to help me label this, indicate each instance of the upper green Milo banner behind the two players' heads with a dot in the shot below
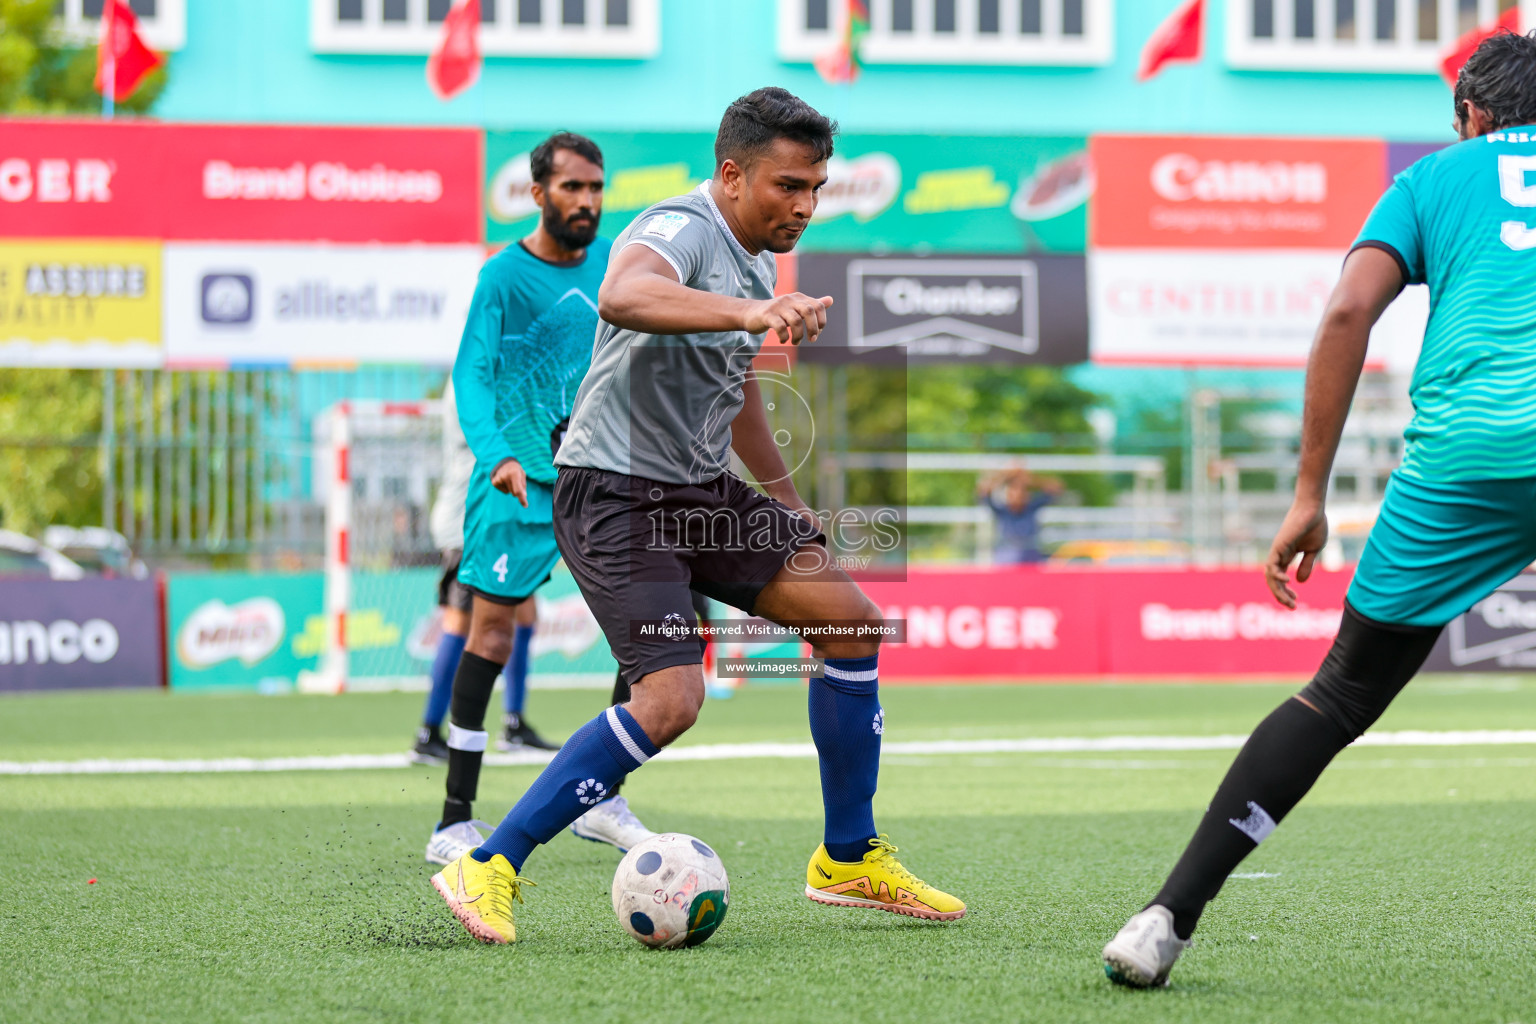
(884, 193)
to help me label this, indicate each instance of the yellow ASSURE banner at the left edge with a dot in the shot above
(79, 303)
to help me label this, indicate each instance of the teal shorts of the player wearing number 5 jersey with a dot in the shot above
(1442, 547)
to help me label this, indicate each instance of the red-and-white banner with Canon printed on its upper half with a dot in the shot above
(1213, 251)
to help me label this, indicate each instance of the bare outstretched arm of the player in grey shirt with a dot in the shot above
(641, 292)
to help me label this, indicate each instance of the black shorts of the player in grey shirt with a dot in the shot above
(640, 550)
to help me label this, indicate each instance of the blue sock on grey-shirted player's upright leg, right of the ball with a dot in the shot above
(847, 722)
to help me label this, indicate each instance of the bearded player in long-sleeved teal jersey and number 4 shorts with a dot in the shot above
(526, 349)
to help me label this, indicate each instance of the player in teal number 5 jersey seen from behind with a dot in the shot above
(1460, 514)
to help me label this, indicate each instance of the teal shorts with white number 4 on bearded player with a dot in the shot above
(509, 550)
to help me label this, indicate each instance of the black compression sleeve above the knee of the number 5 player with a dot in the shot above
(1366, 669)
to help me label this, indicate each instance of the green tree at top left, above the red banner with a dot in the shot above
(44, 73)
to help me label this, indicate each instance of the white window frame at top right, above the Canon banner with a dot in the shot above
(1365, 55)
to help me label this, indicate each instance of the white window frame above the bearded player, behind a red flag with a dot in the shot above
(505, 38)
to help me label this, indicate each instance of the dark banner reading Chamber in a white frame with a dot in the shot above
(953, 309)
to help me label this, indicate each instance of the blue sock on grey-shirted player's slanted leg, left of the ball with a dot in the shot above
(591, 764)
